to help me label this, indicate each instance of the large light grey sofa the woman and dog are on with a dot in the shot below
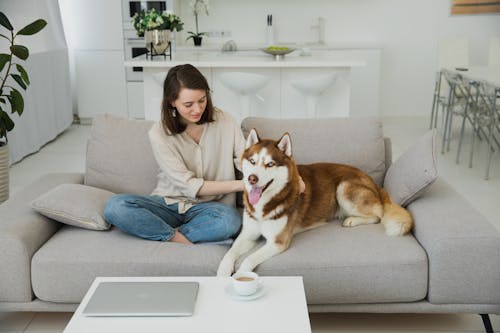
(450, 262)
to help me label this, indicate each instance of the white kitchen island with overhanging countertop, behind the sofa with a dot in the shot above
(278, 98)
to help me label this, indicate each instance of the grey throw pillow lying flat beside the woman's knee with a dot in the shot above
(75, 204)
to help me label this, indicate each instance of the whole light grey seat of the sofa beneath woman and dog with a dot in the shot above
(339, 265)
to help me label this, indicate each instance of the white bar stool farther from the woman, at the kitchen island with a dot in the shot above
(312, 87)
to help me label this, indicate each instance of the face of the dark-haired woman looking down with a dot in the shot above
(190, 105)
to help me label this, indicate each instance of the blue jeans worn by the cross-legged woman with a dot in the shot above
(151, 218)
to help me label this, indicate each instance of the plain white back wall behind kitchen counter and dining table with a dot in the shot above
(407, 31)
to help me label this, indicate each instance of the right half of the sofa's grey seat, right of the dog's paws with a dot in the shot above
(354, 265)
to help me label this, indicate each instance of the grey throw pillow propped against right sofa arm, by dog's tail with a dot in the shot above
(413, 172)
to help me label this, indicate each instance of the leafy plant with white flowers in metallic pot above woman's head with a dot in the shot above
(156, 28)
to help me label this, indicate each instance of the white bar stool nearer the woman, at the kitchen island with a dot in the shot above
(246, 85)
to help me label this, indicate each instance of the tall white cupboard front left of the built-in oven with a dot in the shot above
(94, 34)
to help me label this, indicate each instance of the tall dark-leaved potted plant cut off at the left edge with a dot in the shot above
(12, 76)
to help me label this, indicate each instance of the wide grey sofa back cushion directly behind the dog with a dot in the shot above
(357, 141)
